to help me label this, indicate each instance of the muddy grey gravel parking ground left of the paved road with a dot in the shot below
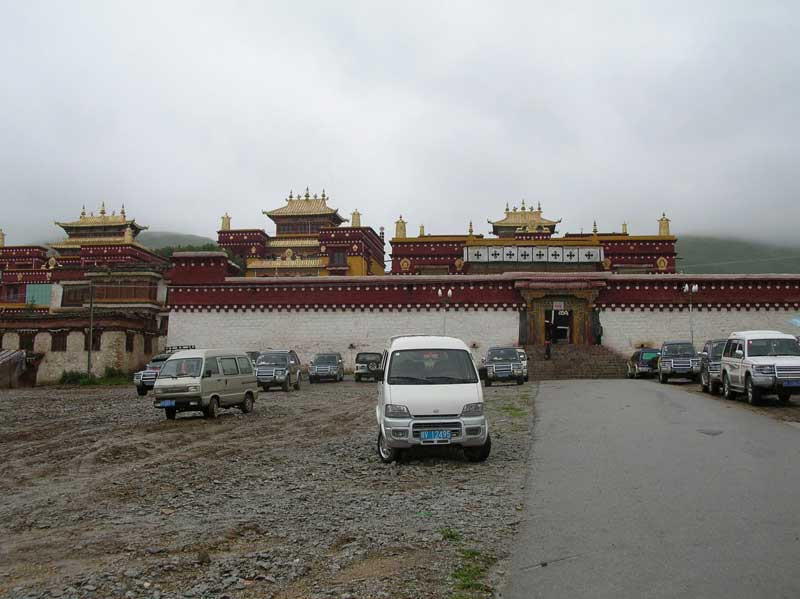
(103, 497)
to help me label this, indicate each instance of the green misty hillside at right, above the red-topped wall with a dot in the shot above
(700, 254)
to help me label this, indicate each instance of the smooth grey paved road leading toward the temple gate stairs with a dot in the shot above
(642, 490)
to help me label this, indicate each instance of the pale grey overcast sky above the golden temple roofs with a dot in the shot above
(440, 111)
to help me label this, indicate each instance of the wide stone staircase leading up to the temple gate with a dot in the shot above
(575, 362)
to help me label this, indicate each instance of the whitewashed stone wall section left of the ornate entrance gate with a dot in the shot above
(312, 332)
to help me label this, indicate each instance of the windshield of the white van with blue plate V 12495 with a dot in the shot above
(431, 367)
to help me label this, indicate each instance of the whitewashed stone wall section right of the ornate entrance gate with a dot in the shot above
(624, 331)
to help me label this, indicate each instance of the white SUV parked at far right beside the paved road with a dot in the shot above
(759, 363)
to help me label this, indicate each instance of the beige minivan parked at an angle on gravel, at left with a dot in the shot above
(205, 380)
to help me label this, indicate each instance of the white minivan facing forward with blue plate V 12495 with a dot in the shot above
(429, 393)
